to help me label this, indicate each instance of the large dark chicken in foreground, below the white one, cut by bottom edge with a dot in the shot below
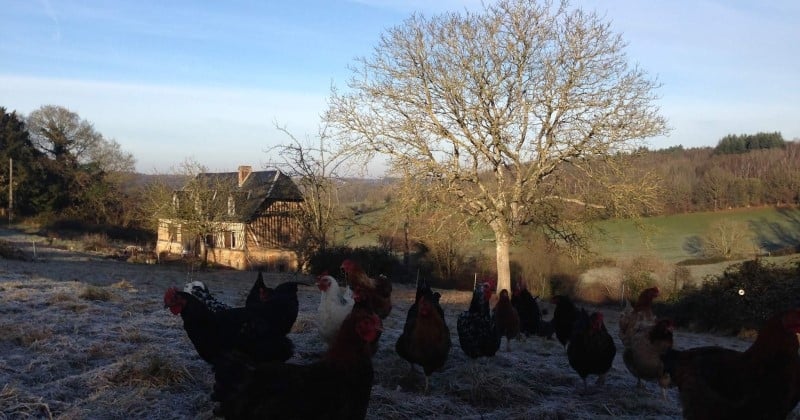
(336, 387)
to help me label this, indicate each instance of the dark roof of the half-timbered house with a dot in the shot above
(258, 187)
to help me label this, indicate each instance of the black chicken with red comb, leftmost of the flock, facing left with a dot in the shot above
(215, 334)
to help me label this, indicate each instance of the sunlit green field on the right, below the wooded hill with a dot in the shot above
(667, 236)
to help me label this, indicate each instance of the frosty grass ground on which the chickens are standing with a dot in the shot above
(86, 337)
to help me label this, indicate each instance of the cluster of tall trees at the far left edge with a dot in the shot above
(55, 165)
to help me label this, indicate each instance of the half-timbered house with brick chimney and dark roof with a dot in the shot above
(258, 227)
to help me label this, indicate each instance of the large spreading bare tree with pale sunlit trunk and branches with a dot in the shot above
(489, 109)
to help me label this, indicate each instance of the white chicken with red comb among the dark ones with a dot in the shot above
(334, 305)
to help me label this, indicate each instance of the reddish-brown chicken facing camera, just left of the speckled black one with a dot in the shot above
(425, 339)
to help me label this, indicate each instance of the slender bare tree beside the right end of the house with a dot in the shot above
(315, 171)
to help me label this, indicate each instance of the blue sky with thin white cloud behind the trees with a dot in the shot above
(208, 80)
